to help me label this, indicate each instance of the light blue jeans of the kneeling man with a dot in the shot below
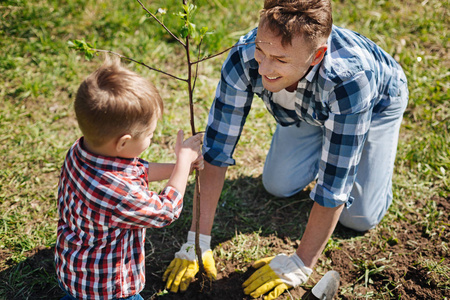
(293, 162)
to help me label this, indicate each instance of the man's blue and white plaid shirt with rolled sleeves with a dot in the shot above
(355, 80)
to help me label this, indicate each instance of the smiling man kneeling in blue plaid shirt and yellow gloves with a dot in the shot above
(338, 100)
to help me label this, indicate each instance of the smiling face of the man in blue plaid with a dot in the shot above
(282, 67)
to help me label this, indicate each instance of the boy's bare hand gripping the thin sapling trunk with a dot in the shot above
(189, 149)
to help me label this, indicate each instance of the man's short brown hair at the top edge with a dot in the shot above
(311, 19)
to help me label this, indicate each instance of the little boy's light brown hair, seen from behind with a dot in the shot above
(114, 101)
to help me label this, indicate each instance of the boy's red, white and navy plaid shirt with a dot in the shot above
(104, 206)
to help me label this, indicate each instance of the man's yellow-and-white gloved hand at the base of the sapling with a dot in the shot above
(184, 266)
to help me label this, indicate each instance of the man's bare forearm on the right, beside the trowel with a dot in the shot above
(321, 224)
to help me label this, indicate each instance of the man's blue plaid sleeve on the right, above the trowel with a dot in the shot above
(345, 132)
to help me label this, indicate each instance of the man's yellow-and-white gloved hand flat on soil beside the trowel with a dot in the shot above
(277, 273)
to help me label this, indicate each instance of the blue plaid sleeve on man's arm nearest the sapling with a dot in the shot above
(228, 112)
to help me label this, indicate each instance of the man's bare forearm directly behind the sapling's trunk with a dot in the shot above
(211, 184)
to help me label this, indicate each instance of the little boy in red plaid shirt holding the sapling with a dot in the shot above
(103, 199)
